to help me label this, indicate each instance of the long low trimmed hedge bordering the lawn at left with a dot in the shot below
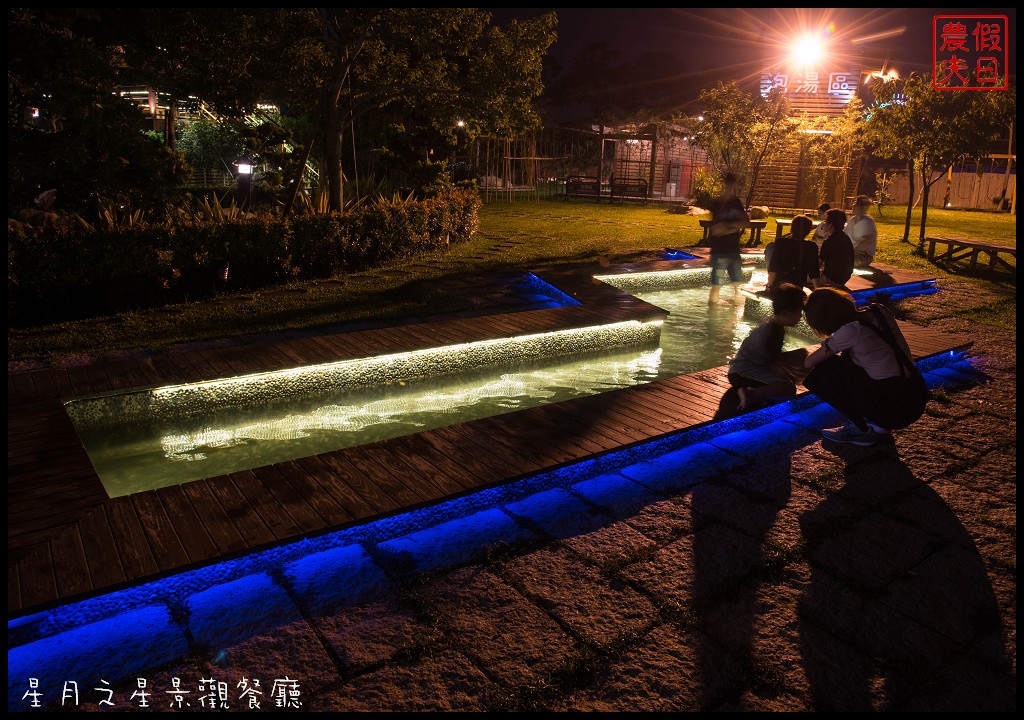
(77, 273)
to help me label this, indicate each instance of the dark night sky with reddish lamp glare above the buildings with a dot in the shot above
(739, 40)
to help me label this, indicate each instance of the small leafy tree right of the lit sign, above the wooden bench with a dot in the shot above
(931, 130)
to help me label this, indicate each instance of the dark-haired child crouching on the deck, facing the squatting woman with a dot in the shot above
(757, 371)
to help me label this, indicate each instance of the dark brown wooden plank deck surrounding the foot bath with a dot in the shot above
(68, 540)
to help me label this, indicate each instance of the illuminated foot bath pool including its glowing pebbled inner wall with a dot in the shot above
(170, 436)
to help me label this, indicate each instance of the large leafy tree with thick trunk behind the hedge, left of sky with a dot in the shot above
(418, 72)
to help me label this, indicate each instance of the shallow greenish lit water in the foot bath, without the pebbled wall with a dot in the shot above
(158, 449)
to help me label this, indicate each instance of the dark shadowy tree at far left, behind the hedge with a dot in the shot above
(66, 128)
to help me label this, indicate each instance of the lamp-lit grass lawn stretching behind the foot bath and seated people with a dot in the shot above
(514, 238)
